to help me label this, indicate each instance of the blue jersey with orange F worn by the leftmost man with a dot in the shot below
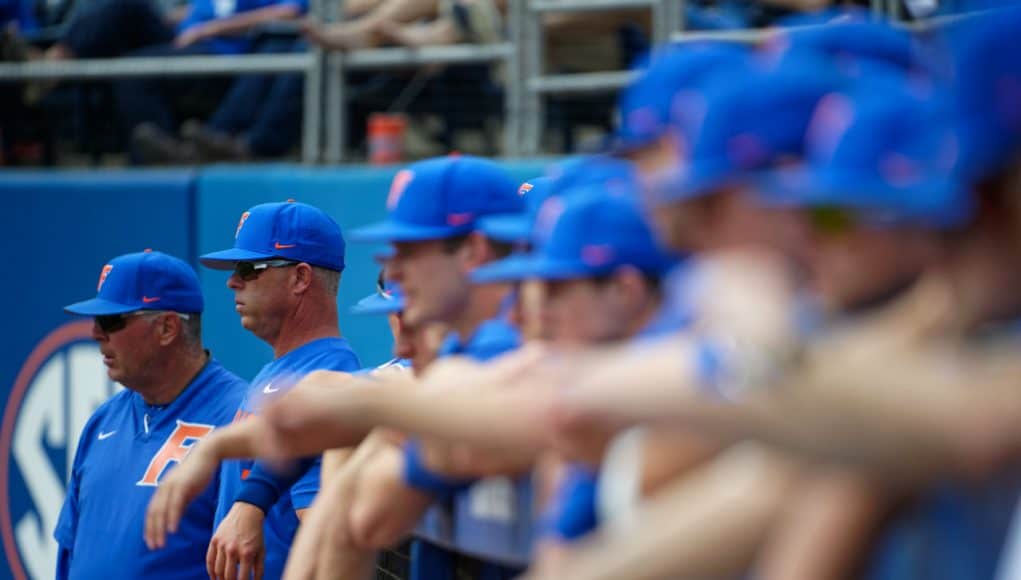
(125, 450)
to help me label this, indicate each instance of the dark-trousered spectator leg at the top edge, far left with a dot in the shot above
(113, 28)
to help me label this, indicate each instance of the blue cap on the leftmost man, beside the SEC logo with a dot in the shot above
(143, 281)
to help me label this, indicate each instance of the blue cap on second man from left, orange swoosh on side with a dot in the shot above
(287, 230)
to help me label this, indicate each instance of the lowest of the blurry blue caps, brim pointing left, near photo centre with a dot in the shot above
(591, 233)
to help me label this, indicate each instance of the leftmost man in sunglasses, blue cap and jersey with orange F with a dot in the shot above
(148, 323)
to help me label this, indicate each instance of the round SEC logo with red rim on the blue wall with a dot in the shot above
(59, 388)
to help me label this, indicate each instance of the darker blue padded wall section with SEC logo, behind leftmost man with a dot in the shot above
(61, 229)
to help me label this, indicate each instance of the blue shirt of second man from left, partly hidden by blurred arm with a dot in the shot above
(246, 479)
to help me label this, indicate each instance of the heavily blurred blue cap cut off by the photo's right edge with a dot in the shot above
(988, 86)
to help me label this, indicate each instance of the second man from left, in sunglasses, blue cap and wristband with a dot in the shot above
(286, 265)
